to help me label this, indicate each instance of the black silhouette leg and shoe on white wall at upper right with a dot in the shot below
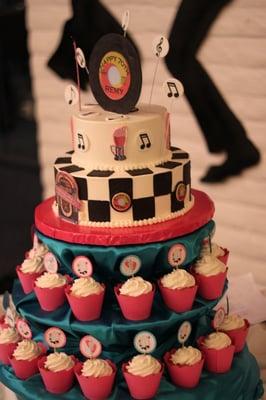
(222, 130)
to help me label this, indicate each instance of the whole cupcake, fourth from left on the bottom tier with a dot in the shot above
(96, 378)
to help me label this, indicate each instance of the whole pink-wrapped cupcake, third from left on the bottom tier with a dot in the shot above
(57, 372)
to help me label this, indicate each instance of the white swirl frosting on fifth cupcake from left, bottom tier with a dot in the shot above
(143, 365)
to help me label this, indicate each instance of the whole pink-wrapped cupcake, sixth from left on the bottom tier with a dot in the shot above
(184, 366)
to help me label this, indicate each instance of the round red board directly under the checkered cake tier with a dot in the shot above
(51, 225)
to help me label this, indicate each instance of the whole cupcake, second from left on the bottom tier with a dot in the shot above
(24, 359)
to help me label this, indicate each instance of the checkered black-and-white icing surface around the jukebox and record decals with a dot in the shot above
(151, 190)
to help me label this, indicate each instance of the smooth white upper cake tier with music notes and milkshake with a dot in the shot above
(107, 141)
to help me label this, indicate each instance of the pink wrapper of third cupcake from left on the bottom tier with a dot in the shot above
(56, 382)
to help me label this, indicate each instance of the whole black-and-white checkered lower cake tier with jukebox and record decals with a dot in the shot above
(124, 198)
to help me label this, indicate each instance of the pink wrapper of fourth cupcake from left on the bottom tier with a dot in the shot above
(95, 388)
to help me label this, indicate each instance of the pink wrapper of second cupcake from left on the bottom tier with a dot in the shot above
(24, 369)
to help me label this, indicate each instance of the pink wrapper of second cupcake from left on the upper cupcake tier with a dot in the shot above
(51, 298)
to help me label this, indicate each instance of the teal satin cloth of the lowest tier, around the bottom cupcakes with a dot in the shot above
(240, 383)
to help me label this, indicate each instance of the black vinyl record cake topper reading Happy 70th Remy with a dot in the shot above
(115, 73)
